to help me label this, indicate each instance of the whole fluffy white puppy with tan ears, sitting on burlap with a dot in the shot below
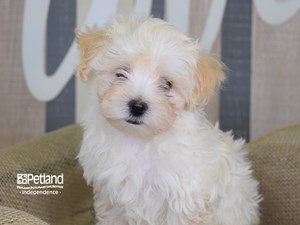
(148, 151)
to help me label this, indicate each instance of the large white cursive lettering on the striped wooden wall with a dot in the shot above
(46, 88)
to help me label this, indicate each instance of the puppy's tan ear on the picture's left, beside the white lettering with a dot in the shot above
(90, 44)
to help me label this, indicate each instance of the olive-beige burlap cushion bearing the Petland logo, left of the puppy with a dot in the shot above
(53, 154)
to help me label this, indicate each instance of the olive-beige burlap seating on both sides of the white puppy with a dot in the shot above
(275, 157)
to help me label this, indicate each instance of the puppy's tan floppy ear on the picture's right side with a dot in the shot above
(208, 77)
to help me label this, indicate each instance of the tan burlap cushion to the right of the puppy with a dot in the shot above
(276, 162)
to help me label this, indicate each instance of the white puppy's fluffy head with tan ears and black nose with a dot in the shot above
(146, 73)
